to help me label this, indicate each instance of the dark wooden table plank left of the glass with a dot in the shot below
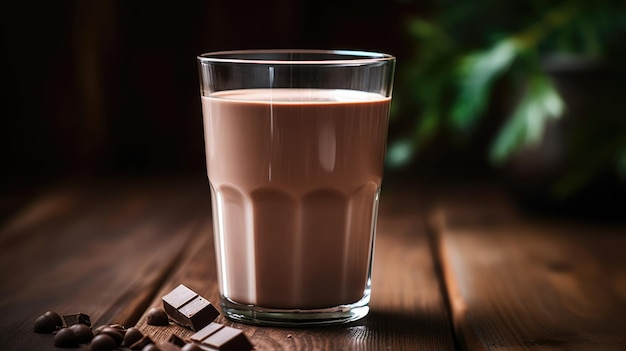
(101, 249)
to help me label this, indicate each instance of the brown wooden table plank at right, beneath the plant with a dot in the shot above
(517, 283)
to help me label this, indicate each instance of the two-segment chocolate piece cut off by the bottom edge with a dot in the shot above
(218, 337)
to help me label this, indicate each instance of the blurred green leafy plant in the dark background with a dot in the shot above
(468, 50)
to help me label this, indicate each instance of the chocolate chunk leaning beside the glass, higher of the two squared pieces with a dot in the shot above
(189, 309)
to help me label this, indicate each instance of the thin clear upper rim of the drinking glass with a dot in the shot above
(343, 57)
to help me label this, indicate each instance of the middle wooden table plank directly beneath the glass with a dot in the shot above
(407, 308)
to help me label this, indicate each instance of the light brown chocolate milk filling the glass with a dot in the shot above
(295, 176)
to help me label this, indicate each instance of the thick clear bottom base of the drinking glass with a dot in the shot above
(256, 315)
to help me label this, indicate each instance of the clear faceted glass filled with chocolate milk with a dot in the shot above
(295, 143)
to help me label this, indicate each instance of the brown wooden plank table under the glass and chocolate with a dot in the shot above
(453, 269)
